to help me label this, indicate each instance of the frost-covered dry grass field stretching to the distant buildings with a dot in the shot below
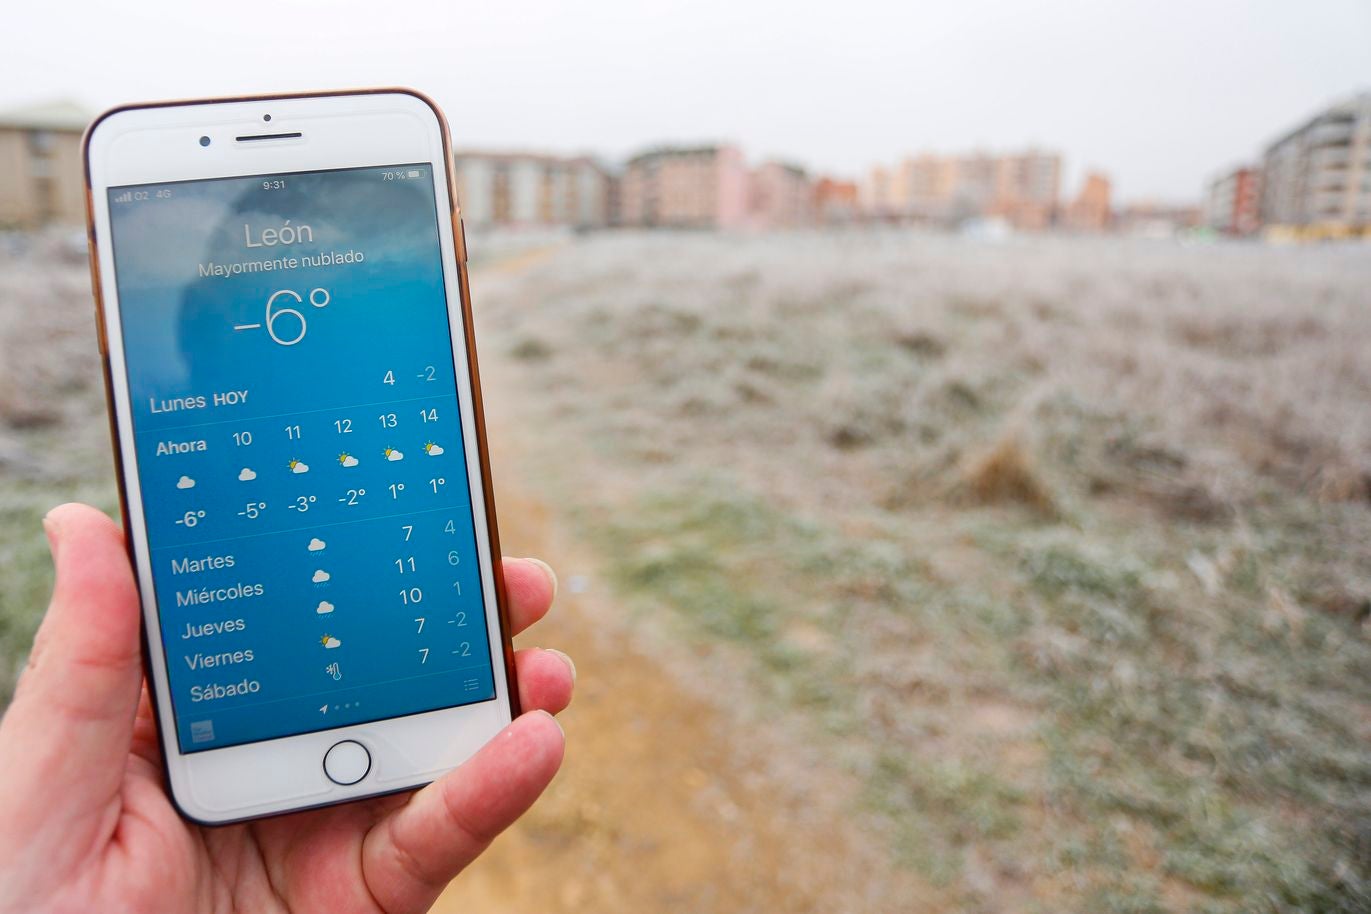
(1043, 567)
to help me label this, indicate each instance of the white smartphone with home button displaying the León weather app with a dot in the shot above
(283, 312)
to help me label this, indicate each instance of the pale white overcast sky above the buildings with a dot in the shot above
(1159, 94)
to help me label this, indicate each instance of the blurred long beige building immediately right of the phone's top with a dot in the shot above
(524, 190)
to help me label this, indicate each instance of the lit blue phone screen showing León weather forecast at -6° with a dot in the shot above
(300, 452)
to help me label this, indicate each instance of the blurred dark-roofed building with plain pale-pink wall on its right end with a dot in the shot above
(686, 187)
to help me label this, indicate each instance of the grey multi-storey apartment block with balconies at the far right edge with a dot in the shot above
(1318, 177)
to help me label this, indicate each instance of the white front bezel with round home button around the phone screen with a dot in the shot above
(160, 143)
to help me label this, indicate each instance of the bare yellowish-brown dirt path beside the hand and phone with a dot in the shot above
(666, 804)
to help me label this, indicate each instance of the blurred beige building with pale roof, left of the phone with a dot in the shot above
(40, 166)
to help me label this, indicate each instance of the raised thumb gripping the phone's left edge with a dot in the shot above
(68, 732)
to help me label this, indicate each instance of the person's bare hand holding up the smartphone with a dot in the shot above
(86, 824)
